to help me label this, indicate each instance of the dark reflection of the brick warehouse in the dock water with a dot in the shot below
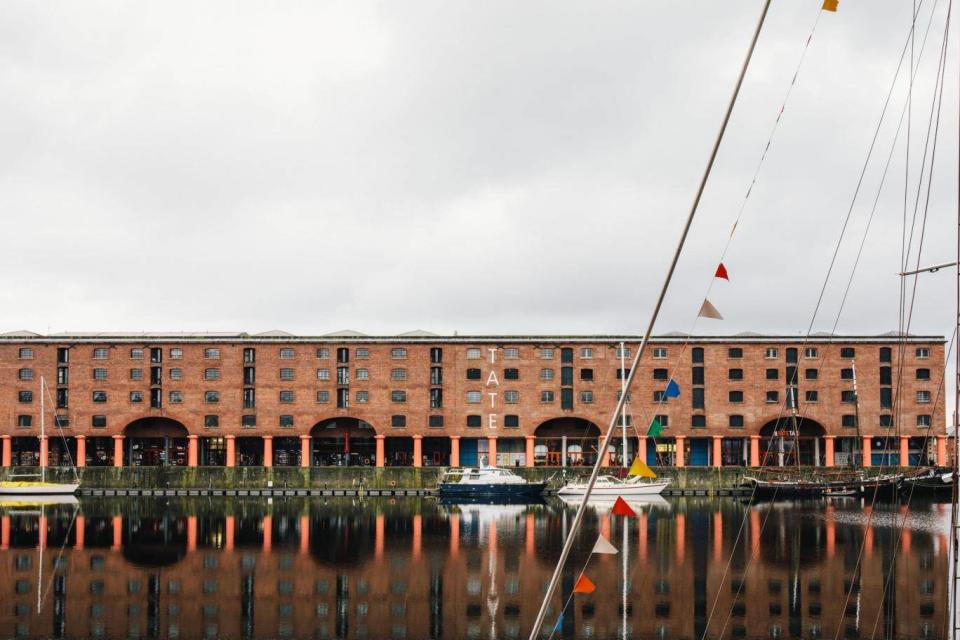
(476, 572)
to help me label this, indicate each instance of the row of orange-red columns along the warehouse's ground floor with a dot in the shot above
(305, 450)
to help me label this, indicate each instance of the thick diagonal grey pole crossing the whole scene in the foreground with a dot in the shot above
(568, 544)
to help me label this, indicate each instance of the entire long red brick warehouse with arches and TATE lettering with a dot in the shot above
(421, 399)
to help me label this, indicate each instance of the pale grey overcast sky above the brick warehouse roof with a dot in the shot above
(480, 167)
